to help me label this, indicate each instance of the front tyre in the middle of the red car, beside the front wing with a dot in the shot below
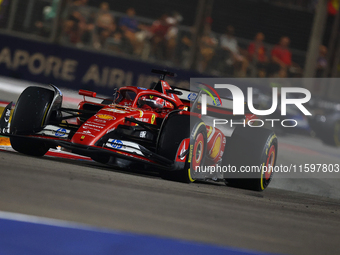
(176, 129)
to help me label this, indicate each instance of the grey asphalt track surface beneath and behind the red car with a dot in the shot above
(277, 220)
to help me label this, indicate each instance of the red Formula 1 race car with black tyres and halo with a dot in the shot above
(159, 128)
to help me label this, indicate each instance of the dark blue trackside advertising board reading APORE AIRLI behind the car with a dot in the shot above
(76, 68)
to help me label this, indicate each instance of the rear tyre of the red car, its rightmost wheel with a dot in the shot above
(250, 146)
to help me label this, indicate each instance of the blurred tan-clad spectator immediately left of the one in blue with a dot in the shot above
(105, 27)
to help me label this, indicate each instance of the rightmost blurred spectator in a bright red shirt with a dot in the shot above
(281, 58)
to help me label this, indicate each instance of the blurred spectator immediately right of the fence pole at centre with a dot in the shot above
(207, 48)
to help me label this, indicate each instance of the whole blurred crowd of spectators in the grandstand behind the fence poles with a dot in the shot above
(165, 40)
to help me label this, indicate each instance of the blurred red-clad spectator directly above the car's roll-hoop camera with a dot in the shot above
(159, 30)
